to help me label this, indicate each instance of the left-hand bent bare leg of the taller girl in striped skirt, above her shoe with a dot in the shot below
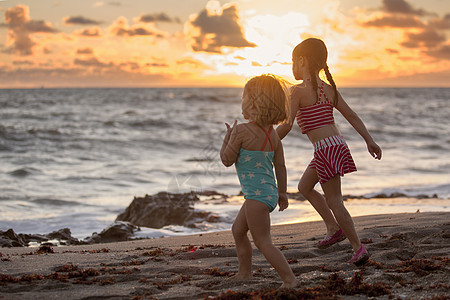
(306, 188)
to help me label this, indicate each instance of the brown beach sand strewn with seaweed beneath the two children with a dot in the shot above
(409, 260)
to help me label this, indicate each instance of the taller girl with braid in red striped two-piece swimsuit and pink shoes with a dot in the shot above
(312, 104)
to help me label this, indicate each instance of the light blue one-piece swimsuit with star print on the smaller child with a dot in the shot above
(255, 172)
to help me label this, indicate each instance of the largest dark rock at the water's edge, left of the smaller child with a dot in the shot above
(162, 209)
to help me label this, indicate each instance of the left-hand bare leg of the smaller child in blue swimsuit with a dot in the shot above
(243, 245)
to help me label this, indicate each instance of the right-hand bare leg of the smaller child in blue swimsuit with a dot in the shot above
(258, 221)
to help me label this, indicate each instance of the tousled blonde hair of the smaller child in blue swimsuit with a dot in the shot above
(267, 94)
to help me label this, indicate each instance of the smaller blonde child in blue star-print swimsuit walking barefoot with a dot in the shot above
(255, 148)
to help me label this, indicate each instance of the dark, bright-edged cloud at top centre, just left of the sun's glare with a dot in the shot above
(211, 30)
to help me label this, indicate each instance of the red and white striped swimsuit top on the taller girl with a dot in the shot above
(316, 115)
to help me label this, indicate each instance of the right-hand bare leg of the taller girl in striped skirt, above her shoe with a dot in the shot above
(333, 195)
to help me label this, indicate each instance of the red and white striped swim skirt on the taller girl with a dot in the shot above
(331, 157)
